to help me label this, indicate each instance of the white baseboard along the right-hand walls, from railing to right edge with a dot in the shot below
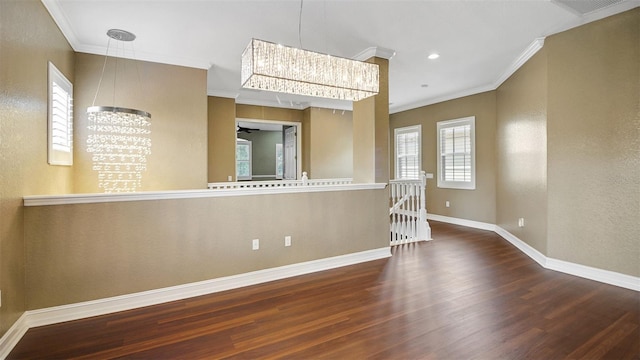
(583, 271)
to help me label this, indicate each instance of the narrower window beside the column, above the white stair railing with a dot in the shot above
(408, 149)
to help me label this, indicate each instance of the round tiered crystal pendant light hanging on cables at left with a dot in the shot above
(119, 138)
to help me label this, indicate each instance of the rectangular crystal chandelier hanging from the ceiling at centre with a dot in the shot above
(274, 67)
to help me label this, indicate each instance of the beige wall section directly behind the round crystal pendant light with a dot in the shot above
(176, 98)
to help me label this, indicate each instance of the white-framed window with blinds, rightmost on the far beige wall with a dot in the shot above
(456, 153)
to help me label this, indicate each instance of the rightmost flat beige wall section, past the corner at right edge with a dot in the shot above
(593, 144)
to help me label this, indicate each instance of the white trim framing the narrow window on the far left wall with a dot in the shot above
(56, 156)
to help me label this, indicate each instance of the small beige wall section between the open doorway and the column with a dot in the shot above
(330, 144)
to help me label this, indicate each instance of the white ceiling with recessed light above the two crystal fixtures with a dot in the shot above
(480, 42)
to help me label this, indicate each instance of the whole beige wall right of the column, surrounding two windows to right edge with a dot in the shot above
(566, 143)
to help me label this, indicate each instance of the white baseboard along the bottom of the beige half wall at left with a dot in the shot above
(57, 314)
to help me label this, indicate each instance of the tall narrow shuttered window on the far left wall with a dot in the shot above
(60, 118)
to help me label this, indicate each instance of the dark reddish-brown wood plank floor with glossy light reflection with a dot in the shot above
(466, 294)
